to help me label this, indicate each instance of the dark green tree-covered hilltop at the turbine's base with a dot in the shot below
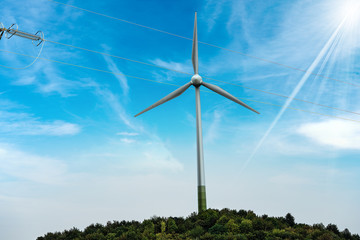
(211, 224)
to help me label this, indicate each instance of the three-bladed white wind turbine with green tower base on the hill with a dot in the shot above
(196, 81)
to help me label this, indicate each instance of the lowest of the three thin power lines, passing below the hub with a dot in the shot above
(145, 79)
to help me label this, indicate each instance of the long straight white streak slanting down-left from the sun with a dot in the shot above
(296, 90)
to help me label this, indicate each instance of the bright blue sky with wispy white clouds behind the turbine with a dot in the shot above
(71, 152)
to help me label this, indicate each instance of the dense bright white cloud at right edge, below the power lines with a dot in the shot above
(335, 133)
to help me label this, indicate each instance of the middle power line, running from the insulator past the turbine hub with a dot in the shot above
(213, 79)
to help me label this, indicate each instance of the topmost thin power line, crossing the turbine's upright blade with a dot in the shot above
(209, 44)
